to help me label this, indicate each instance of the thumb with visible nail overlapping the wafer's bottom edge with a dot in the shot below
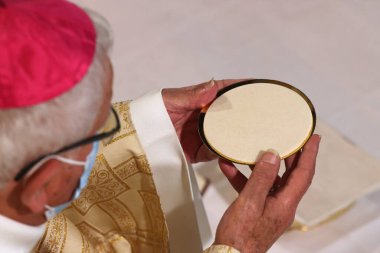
(262, 178)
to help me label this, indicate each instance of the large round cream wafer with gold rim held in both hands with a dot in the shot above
(256, 115)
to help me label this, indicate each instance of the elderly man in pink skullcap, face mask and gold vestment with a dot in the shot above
(77, 175)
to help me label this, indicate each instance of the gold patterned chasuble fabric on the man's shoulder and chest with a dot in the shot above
(119, 210)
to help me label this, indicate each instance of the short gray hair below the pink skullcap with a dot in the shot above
(27, 133)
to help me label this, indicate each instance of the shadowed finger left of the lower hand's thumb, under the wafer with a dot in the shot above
(234, 176)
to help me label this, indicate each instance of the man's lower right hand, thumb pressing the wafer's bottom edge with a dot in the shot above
(267, 203)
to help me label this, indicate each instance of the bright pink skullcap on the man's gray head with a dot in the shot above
(46, 48)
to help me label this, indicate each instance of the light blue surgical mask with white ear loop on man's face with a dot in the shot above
(52, 211)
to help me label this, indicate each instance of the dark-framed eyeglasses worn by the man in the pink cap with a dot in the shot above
(111, 126)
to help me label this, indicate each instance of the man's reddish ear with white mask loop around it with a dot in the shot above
(37, 188)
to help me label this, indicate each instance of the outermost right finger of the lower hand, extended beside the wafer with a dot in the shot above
(300, 178)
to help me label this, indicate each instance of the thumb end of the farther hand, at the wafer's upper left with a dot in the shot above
(202, 94)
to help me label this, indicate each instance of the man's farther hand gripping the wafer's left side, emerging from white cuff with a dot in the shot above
(183, 106)
